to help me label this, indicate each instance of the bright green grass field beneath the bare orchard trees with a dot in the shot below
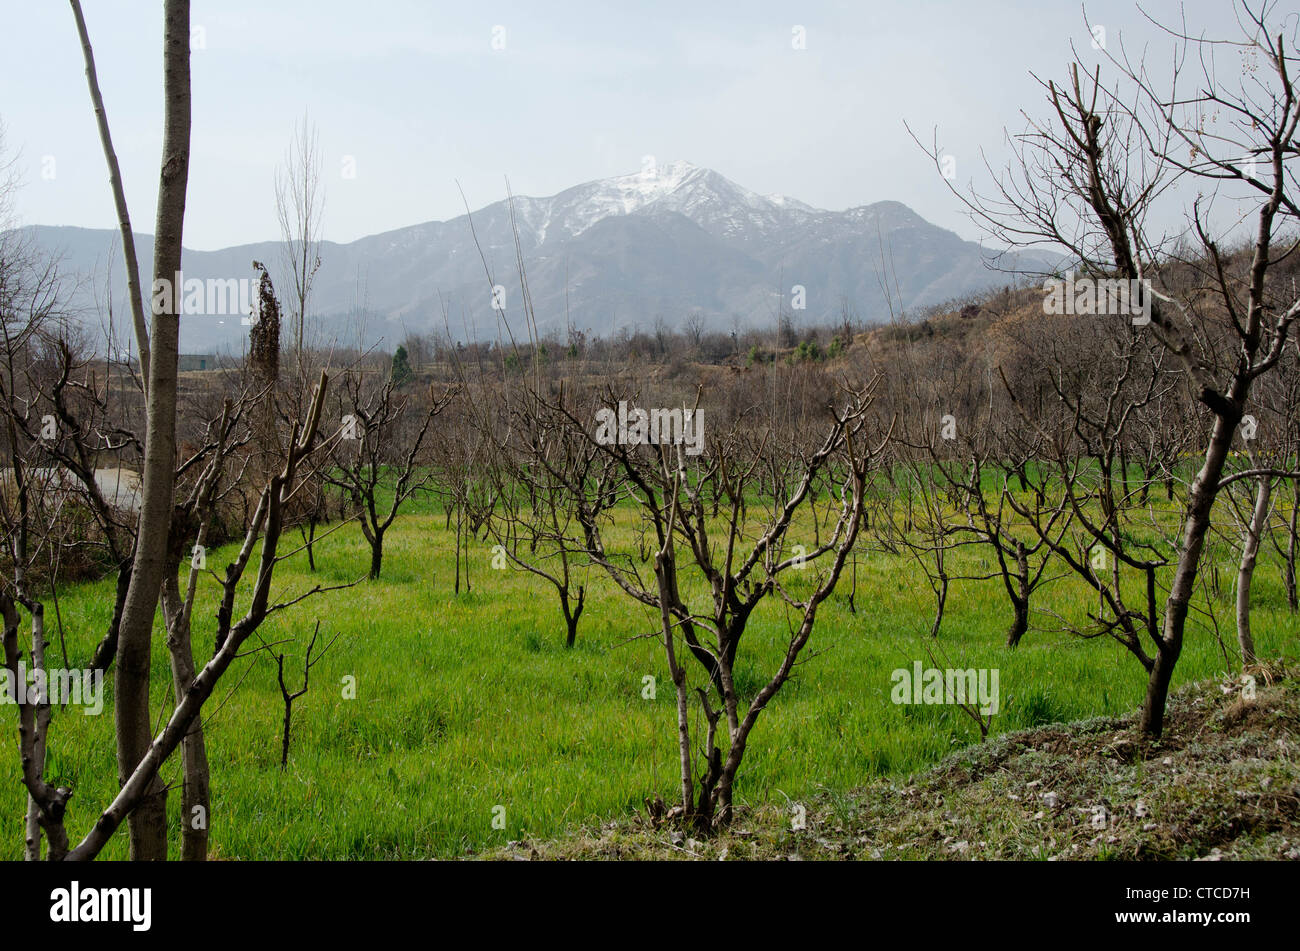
(465, 704)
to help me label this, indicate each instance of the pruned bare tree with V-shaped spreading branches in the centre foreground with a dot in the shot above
(742, 562)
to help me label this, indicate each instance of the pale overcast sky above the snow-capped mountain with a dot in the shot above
(418, 98)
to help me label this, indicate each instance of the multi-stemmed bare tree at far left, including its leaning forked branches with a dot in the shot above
(161, 535)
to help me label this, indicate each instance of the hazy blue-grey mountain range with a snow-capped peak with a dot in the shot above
(665, 242)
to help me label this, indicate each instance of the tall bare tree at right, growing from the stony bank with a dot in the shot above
(1086, 181)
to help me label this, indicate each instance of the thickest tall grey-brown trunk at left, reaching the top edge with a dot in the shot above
(132, 685)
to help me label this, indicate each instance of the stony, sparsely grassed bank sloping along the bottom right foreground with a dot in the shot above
(1224, 784)
